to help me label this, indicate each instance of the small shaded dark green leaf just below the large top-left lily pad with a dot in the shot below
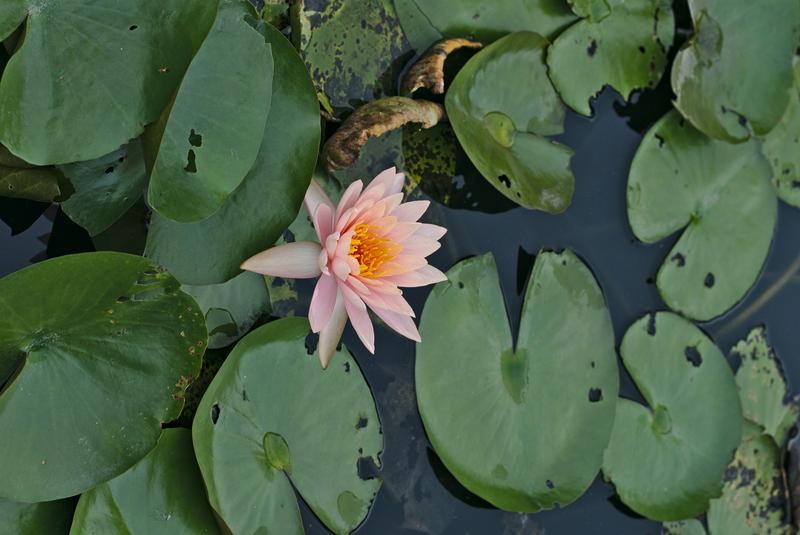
(105, 188)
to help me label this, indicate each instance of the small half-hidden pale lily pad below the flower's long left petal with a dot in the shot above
(231, 308)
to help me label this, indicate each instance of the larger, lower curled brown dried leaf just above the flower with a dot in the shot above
(373, 120)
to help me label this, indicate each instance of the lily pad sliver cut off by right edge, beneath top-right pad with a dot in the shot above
(782, 147)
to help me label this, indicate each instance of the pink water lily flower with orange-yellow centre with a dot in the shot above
(372, 245)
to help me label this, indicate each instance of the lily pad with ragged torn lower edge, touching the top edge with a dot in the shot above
(626, 49)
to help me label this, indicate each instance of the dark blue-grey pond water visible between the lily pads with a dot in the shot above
(418, 495)
